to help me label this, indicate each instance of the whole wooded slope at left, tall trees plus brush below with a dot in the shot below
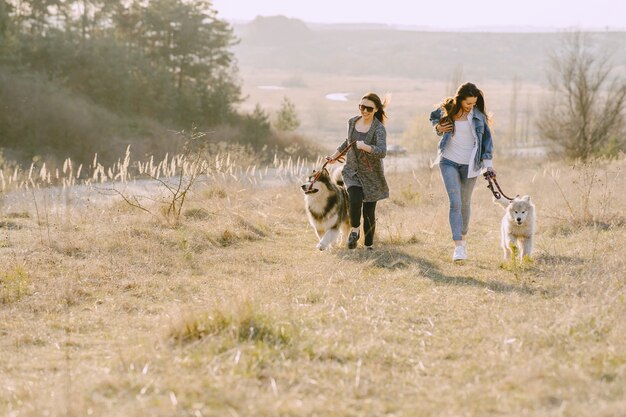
(76, 72)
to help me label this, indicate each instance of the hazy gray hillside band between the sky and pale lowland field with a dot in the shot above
(288, 44)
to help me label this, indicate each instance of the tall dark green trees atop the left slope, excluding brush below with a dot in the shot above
(166, 59)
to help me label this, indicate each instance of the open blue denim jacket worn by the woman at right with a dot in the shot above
(483, 143)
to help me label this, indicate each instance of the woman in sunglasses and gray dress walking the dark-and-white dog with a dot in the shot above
(363, 173)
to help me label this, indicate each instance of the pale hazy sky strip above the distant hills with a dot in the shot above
(445, 14)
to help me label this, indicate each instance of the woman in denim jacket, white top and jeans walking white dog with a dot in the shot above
(465, 149)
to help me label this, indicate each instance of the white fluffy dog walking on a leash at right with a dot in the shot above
(518, 227)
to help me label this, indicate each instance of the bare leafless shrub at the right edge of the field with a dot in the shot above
(584, 117)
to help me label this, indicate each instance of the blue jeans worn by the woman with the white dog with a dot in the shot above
(459, 189)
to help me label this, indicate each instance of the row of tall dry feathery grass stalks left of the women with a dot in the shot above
(221, 165)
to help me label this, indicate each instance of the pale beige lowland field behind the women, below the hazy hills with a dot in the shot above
(411, 102)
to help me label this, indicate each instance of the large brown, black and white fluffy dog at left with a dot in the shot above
(326, 204)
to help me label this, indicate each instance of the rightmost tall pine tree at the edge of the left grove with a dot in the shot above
(192, 45)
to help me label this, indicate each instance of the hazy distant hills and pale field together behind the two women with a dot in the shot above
(417, 68)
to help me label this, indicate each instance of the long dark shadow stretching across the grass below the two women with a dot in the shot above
(394, 259)
